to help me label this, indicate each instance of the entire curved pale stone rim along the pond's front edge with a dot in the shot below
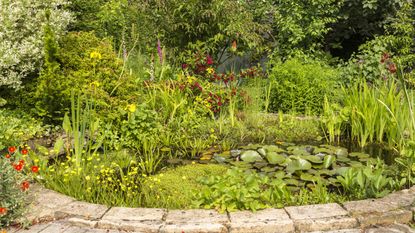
(395, 208)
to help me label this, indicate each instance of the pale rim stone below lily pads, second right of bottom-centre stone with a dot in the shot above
(321, 218)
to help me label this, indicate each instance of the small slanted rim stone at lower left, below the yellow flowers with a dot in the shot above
(81, 209)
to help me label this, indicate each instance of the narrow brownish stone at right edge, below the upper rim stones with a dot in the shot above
(386, 218)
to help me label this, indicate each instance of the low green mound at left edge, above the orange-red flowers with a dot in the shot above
(17, 127)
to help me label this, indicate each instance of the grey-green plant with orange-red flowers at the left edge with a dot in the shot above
(13, 184)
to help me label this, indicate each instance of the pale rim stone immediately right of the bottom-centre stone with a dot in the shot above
(266, 221)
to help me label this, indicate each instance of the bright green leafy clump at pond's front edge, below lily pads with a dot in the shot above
(237, 190)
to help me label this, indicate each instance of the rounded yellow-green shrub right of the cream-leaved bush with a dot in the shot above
(83, 63)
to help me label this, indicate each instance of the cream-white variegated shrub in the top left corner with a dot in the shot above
(21, 40)
